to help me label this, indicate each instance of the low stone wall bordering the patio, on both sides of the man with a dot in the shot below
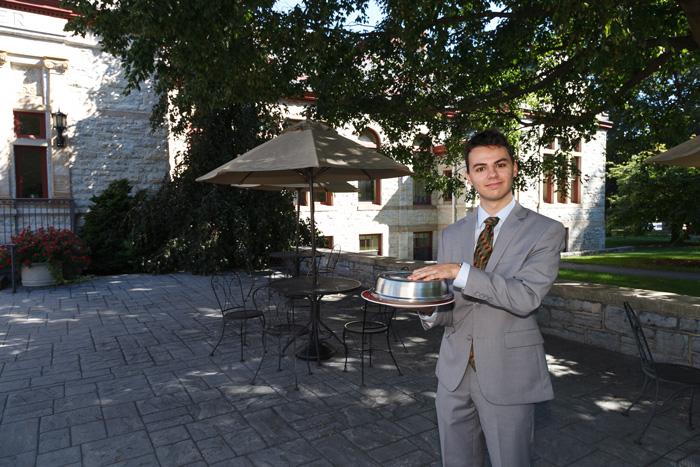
(588, 313)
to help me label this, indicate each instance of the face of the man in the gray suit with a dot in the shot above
(491, 173)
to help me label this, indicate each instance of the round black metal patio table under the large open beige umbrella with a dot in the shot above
(316, 349)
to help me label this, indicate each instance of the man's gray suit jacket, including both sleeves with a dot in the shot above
(497, 305)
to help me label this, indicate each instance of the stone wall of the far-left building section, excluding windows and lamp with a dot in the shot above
(109, 134)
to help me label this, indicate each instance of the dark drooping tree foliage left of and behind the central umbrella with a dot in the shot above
(202, 227)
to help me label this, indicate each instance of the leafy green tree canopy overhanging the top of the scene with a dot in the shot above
(442, 68)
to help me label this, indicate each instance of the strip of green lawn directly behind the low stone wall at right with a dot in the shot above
(683, 287)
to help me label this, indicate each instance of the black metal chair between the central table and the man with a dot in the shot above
(373, 322)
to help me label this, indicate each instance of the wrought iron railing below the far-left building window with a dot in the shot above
(33, 213)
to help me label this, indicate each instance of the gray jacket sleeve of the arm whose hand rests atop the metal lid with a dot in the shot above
(521, 293)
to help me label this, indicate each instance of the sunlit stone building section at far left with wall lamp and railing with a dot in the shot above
(47, 178)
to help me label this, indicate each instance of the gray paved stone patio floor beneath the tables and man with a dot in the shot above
(116, 371)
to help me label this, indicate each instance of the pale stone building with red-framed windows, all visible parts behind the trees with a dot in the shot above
(47, 178)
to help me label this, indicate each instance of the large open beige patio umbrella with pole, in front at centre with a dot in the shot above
(309, 152)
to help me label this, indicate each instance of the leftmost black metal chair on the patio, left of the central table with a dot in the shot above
(234, 294)
